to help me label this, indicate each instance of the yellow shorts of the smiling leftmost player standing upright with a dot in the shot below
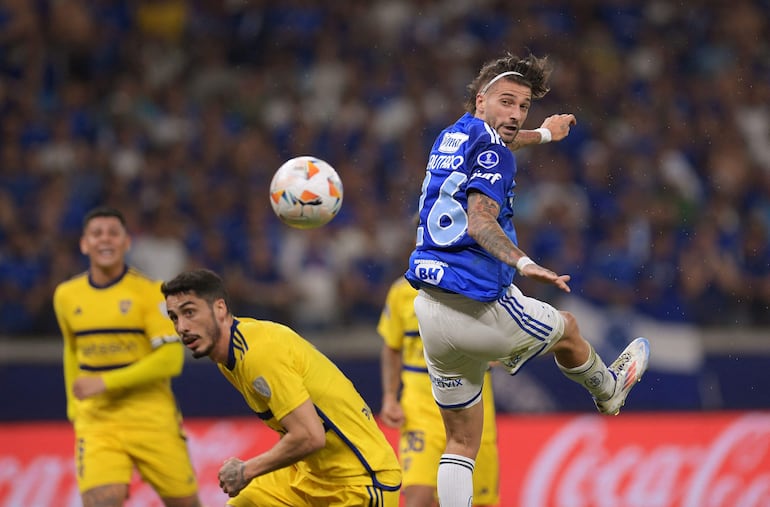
(107, 455)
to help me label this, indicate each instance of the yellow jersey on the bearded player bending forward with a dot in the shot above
(276, 370)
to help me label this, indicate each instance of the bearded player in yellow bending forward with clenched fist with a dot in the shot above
(331, 450)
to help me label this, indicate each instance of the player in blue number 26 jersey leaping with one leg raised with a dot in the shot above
(468, 309)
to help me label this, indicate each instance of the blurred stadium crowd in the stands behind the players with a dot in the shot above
(178, 113)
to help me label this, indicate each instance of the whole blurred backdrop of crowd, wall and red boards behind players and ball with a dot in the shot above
(178, 113)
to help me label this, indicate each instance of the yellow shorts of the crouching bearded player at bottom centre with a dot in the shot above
(289, 486)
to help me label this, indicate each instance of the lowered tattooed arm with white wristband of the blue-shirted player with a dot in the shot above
(484, 229)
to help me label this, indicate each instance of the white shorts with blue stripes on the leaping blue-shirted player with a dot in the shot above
(461, 336)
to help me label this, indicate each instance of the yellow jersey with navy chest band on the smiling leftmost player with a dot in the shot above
(108, 329)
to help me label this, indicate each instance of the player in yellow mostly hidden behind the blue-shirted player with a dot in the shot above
(414, 412)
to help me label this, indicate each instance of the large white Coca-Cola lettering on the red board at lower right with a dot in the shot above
(577, 468)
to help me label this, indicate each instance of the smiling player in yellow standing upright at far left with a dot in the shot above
(120, 352)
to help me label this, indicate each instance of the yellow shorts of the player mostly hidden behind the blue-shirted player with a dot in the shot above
(423, 441)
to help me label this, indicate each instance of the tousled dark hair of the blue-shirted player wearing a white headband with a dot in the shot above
(534, 74)
